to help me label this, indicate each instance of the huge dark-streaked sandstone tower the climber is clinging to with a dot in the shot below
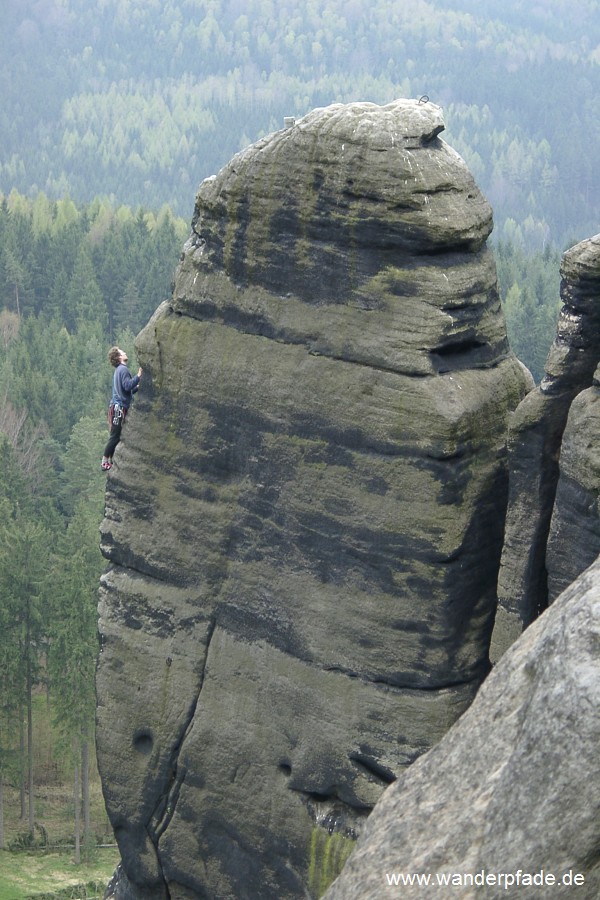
(306, 515)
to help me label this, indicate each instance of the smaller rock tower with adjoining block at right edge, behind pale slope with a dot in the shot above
(553, 518)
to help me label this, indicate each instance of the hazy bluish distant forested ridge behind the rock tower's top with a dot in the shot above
(139, 100)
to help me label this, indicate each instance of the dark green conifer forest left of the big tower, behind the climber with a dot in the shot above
(73, 280)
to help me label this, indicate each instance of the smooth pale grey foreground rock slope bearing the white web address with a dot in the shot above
(513, 786)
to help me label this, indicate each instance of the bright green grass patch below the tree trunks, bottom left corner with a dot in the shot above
(25, 875)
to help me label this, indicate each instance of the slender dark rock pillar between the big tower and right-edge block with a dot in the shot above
(535, 438)
